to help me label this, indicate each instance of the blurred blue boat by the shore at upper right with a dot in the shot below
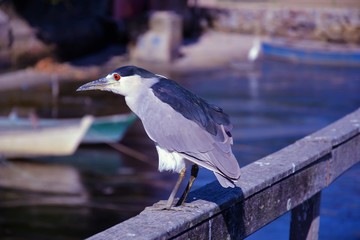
(311, 52)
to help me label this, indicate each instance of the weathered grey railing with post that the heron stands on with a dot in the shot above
(288, 180)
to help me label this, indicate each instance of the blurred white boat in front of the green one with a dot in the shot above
(42, 137)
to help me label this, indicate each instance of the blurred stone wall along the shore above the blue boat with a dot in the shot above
(327, 24)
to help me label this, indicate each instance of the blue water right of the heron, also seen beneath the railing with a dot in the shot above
(276, 103)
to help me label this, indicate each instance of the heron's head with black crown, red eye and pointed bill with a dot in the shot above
(125, 80)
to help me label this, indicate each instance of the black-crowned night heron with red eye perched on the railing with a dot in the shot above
(182, 125)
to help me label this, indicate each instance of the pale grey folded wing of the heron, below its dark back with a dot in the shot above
(174, 132)
